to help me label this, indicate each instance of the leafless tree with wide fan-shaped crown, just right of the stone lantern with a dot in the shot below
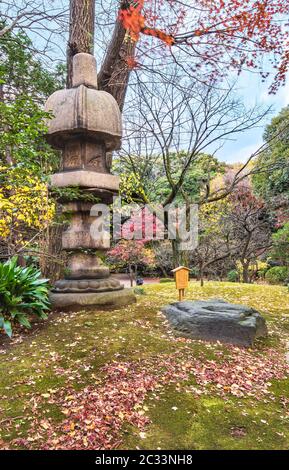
(169, 127)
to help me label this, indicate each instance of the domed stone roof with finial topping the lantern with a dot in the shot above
(83, 110)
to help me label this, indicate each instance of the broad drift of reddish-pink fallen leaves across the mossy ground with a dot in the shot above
(95, 415)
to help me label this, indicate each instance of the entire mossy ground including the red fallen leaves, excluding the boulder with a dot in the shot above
(122, 379)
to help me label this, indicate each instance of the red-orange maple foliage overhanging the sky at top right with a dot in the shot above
(218, 34)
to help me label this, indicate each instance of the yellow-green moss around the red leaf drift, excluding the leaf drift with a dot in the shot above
(67, 354)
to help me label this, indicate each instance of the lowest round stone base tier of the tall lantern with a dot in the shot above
(92, 301)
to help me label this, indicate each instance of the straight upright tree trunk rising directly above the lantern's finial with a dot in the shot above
(81, 31)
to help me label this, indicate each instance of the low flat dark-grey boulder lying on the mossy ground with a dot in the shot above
(216, 320)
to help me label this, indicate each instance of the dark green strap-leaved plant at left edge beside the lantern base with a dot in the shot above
(22, 292)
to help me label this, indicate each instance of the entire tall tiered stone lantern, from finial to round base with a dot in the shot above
(86, 127)
